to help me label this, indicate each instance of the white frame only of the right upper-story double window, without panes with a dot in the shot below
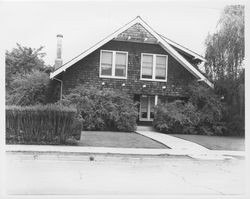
(154, 68)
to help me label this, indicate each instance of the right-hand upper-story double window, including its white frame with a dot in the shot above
(154, 67)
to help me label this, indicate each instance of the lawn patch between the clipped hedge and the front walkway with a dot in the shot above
(117, 139)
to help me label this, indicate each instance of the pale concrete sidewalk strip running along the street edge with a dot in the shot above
(212, 155)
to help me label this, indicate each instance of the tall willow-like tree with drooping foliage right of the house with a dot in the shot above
(225, 53)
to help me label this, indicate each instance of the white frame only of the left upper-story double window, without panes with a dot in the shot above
(113, 65)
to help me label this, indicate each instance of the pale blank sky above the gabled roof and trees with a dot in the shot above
(83, 23)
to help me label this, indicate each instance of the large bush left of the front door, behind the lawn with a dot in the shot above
(103, 109)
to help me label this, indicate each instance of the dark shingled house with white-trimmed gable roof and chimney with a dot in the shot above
(137, 60)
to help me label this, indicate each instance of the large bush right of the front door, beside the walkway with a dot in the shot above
(202, 114)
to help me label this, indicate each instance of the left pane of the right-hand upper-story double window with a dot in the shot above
(147, 66)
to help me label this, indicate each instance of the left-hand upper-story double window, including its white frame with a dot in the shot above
(113, 64)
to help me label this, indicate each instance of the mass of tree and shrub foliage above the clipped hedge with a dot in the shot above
(27, 77)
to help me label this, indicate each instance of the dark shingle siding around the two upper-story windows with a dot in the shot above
(86, 72)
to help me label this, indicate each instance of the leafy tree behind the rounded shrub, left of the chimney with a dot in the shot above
(22, 60)
